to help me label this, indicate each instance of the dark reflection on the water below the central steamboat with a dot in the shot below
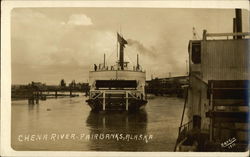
(130, 129)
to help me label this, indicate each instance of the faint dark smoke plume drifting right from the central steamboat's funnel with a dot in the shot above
(141, 48)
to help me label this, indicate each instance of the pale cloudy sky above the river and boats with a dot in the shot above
(50, 44)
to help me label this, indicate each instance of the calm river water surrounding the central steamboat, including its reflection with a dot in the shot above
(68, 124)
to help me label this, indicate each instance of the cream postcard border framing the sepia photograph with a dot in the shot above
(7, 6)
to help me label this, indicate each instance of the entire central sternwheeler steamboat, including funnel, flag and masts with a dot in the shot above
(117, 87)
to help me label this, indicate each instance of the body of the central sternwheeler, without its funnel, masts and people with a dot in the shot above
(109, 93)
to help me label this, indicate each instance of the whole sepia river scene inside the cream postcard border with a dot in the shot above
(129, 79)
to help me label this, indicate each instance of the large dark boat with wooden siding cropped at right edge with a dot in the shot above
(217, 102)
